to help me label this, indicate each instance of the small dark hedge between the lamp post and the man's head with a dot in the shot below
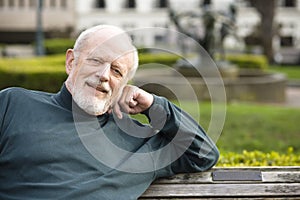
(58, 46)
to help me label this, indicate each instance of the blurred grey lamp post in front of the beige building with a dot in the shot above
(39, 30)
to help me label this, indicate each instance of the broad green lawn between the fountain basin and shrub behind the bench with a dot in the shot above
(252, 127)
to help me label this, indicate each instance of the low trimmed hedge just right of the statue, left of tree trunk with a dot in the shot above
(249, 61)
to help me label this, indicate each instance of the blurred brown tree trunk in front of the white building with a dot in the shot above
(266, 9)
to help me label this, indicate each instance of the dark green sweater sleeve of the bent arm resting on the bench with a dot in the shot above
(180, 145)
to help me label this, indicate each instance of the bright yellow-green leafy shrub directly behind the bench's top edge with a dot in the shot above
(258, 158)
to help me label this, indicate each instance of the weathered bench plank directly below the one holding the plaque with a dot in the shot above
(223, 190)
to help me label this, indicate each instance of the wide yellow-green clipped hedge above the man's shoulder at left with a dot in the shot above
(43, 73)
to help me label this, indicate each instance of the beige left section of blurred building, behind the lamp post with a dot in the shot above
(18, 19)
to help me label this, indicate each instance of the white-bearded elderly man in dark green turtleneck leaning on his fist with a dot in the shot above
(81, 143)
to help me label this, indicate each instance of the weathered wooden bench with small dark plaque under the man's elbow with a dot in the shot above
(230, 183)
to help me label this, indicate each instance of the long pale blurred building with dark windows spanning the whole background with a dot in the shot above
(63, 17)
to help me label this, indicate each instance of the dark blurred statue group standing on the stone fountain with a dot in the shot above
(206, 20)
